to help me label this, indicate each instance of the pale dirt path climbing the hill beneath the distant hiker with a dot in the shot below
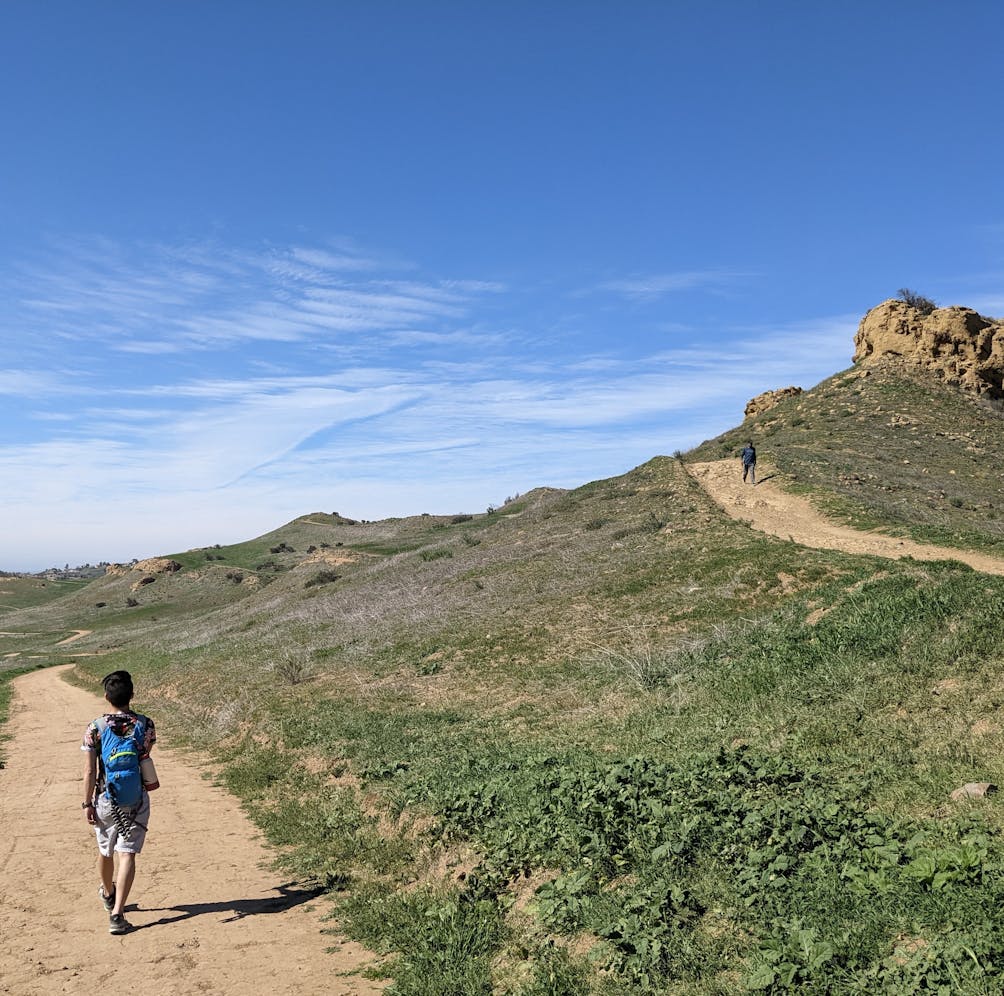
(771, 510)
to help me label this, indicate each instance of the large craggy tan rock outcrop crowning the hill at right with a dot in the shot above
(957, 345)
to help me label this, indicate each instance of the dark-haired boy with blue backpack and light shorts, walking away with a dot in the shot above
(118, 777)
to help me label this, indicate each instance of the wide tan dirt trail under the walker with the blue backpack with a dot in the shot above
(209, 918)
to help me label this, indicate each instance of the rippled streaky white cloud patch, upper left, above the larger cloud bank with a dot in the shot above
(158, 301)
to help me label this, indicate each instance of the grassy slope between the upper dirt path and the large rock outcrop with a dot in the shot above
(884, 448)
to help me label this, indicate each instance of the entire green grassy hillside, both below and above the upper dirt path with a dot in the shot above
(611, 740)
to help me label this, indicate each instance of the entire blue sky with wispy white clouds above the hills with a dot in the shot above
(260, 260)
